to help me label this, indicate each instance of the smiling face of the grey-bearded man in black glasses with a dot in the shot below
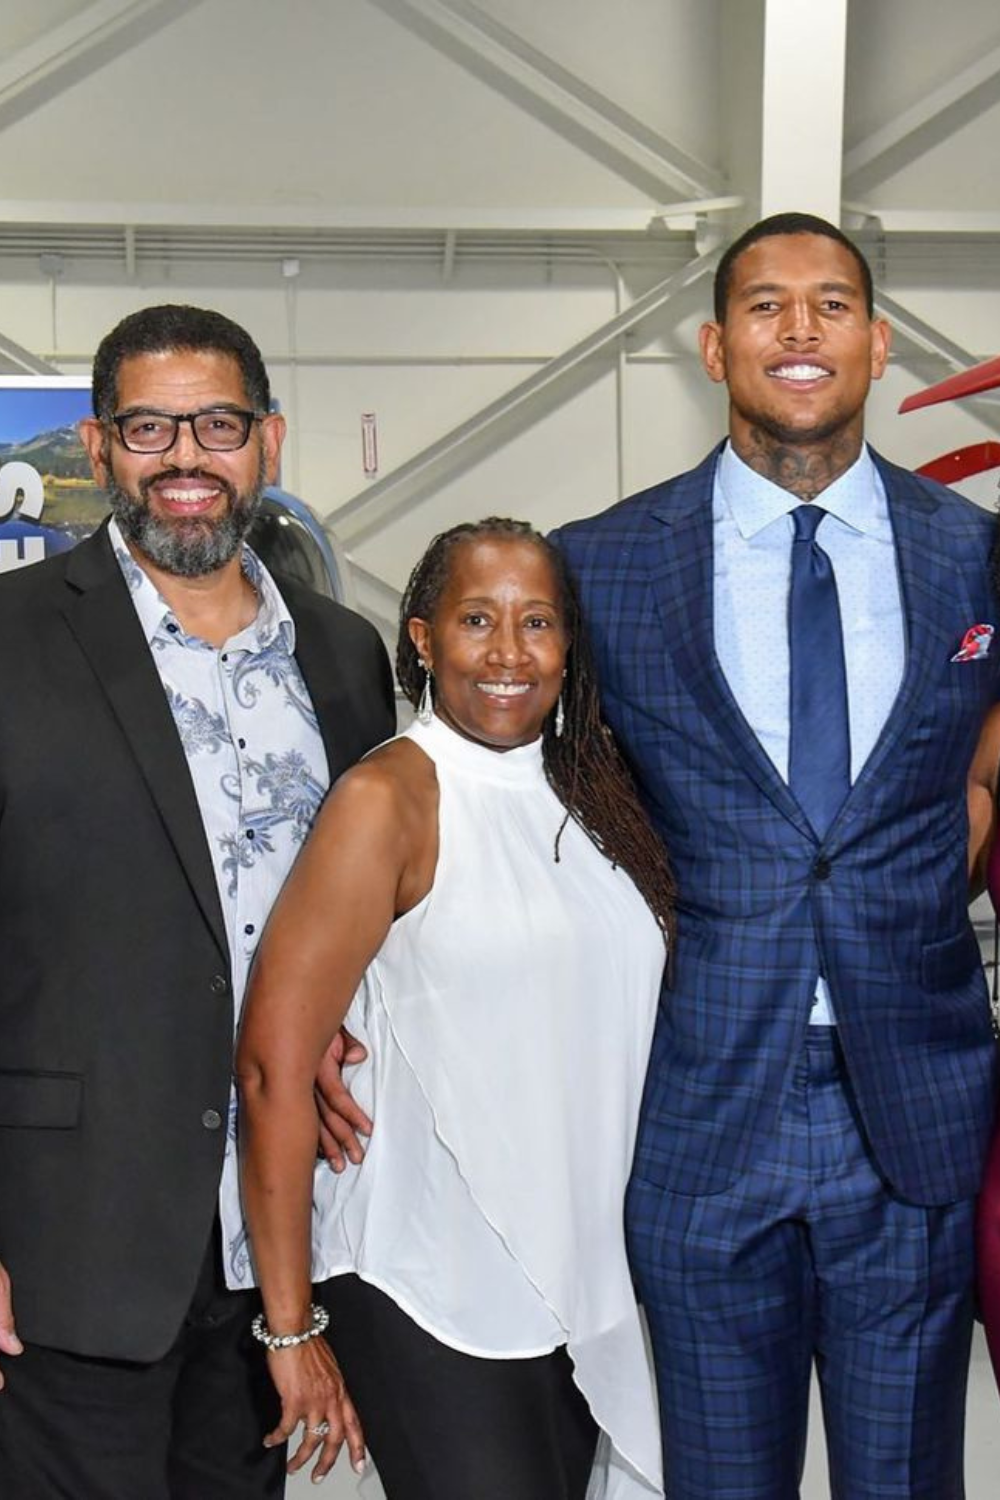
(185, 511)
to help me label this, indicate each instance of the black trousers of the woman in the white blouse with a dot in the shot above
(445, 1426)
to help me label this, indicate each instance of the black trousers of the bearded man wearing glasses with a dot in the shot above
(188, 1427)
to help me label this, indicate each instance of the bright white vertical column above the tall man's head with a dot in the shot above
(803, 107)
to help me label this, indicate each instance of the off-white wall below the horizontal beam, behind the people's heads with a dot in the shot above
(386, 349)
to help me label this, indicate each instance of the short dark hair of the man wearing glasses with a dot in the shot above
(175, 326)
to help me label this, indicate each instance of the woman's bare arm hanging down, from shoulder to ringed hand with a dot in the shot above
(370, 859)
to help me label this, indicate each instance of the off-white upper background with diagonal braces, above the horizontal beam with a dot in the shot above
(373, 113)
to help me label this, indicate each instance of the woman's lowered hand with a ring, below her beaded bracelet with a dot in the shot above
(313, 1391)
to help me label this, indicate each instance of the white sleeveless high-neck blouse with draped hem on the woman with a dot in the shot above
(509, 1021)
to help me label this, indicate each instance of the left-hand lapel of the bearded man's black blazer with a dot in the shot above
(101, 617)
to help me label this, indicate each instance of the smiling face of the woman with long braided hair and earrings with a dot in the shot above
(497, 643)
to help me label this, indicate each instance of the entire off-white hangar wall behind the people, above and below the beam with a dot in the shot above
(398, 119)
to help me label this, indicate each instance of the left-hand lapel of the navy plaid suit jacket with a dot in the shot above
(683, 581)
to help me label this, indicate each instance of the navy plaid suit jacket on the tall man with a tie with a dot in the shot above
(881, 908)
